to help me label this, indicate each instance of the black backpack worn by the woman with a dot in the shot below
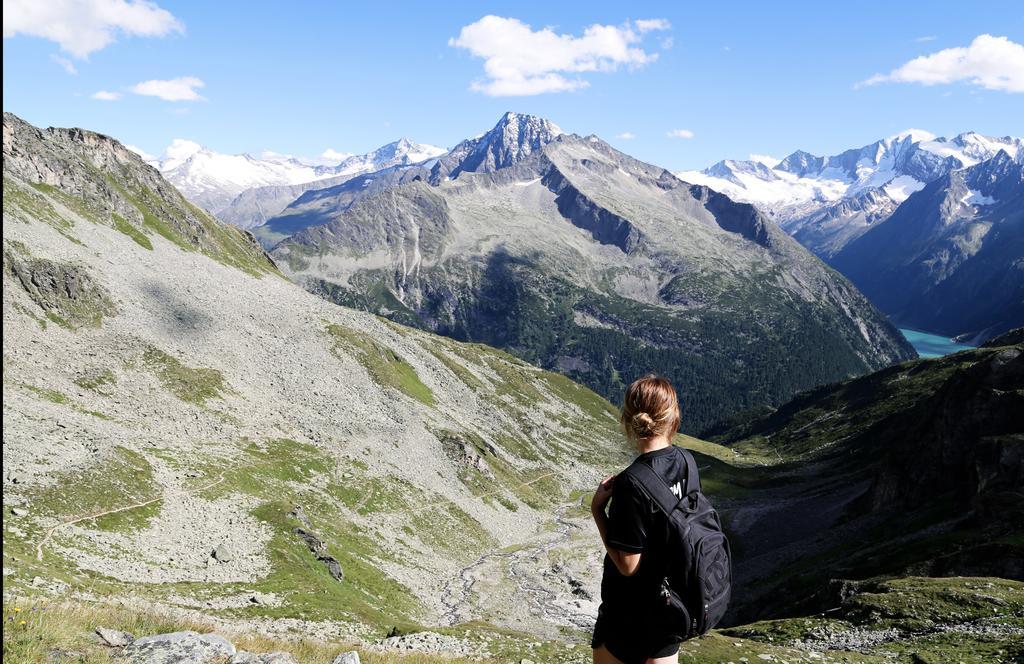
(698, 579)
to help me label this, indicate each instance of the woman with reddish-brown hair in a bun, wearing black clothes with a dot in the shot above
(632, 624)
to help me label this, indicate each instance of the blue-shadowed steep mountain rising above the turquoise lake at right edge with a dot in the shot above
(956, 250)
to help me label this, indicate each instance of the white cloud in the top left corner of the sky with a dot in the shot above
(82, 27)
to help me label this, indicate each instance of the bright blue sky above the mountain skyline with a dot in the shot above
(301, 78)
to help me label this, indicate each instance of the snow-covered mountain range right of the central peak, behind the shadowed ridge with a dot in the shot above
(827, 202)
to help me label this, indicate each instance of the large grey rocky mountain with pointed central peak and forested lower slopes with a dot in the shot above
(579, 259)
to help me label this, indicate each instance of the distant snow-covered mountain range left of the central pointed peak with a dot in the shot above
(245, 191)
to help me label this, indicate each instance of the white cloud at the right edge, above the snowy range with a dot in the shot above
(992, 63)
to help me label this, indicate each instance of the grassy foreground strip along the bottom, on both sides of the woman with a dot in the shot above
(912, 620)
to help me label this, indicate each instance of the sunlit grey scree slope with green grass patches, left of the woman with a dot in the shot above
(185, 426)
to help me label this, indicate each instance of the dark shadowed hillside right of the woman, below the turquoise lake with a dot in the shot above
(916, 470)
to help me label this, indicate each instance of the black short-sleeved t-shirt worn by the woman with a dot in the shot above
(637, 526)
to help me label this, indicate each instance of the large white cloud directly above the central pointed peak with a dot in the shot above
(520, 61)
